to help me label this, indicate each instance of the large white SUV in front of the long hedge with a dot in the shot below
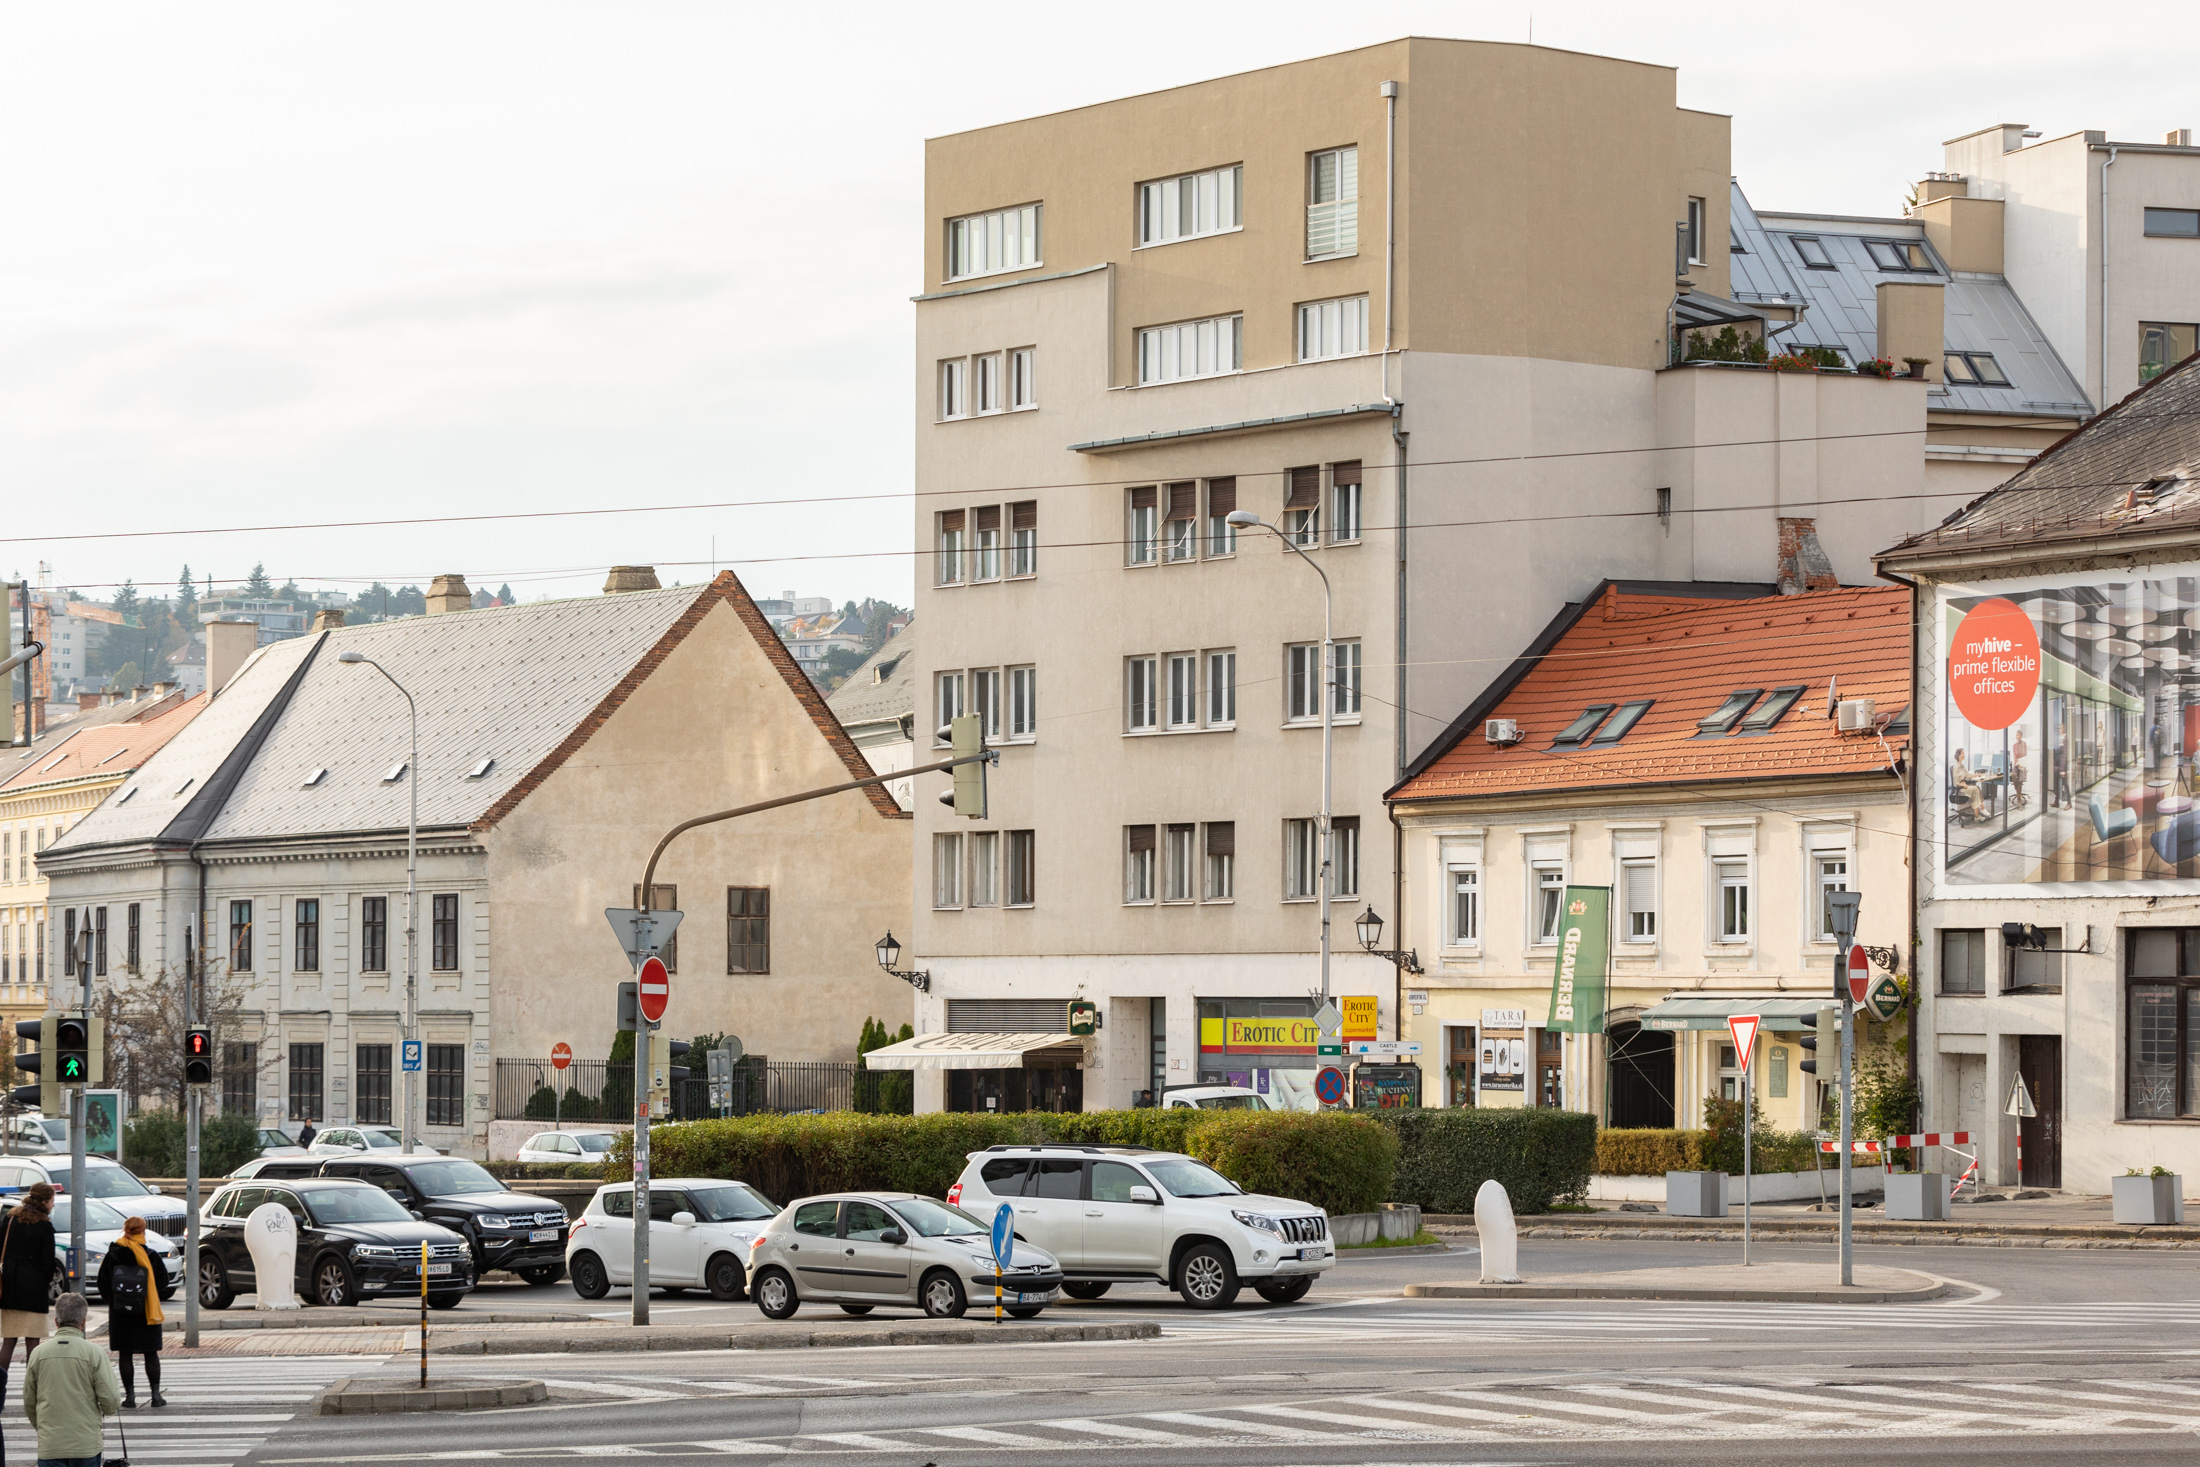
(1132, 1215)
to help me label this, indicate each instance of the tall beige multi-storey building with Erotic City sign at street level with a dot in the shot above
(1416, 309)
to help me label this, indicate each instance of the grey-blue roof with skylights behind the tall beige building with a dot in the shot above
(1842, 309)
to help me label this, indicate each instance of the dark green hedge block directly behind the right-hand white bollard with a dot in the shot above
(1446, 1156)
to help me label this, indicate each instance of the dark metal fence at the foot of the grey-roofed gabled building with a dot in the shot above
(597, 1090)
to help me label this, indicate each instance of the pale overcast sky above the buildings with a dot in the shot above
(278, 265)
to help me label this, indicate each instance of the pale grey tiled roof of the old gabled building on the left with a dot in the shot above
(503, 683)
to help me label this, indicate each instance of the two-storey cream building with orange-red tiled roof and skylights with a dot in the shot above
(1671, 744)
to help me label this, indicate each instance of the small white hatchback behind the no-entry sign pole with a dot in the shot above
(698, 1237)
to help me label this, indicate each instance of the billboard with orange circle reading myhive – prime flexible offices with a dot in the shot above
(2069, 729)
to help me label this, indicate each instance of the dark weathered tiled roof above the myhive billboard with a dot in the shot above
(2082, 487)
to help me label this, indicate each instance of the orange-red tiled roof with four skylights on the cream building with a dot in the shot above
(1688, 654)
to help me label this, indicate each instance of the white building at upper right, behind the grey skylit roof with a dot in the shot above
(2100, 239)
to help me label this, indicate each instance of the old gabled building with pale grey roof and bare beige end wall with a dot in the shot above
(558, 744)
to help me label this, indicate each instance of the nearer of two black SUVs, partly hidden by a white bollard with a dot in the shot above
(351, 1244)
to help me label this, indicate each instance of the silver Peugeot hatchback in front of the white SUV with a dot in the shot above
(861, 1250)
